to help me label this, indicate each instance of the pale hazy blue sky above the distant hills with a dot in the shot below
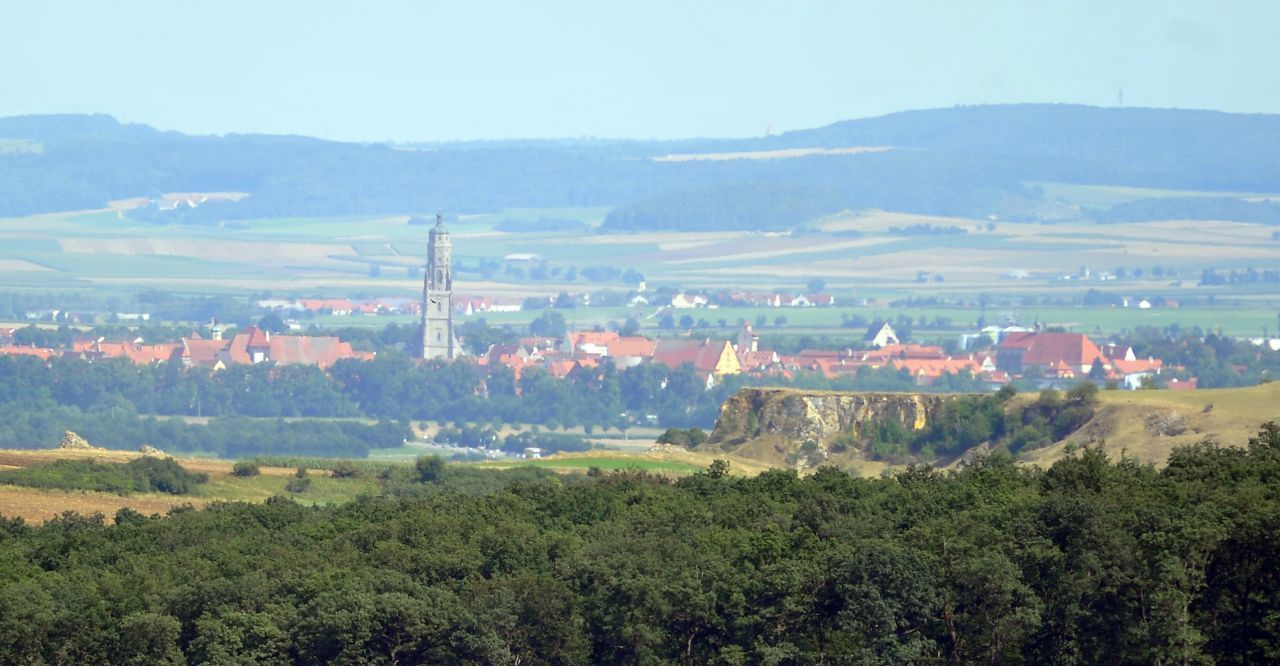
(472, 70)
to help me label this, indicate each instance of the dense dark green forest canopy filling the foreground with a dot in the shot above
(1090, 562)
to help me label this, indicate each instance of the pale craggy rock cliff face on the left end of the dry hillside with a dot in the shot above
(817, 417)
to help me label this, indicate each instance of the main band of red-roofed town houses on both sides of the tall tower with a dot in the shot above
(1044, 358)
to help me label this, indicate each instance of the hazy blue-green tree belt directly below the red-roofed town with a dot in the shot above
(113, 403)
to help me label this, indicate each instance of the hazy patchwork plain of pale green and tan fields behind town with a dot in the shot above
(858, 256)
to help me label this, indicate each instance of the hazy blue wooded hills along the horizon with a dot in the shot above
(971, 162)
